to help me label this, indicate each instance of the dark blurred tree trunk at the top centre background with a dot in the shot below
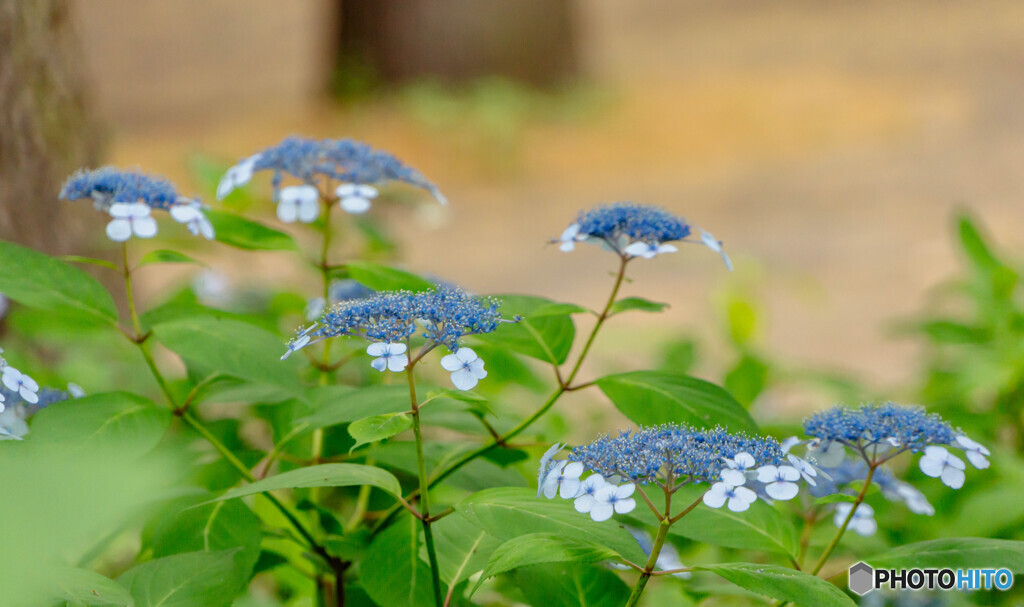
(456, 40)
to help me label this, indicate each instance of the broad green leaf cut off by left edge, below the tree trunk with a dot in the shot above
(41, 282)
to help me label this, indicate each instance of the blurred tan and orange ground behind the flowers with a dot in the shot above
(828, 144)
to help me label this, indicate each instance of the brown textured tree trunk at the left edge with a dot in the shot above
(46, 127)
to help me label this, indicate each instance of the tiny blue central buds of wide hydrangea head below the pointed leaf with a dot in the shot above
(650, 455)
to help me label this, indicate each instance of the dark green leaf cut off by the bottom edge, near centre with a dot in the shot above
(572, 585)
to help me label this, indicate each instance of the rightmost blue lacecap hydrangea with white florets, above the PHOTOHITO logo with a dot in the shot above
(850, 444)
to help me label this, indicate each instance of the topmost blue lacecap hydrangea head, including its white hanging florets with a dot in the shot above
(352, 168)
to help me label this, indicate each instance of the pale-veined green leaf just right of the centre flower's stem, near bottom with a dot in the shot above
(463, 549)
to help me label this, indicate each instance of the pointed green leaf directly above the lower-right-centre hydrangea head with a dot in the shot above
(652, 398)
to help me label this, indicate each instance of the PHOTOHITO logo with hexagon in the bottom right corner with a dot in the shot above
(865, 579)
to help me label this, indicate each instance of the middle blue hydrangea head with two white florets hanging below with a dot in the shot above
(391, 320)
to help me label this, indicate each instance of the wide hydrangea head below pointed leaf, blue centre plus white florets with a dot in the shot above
(740, 469)
